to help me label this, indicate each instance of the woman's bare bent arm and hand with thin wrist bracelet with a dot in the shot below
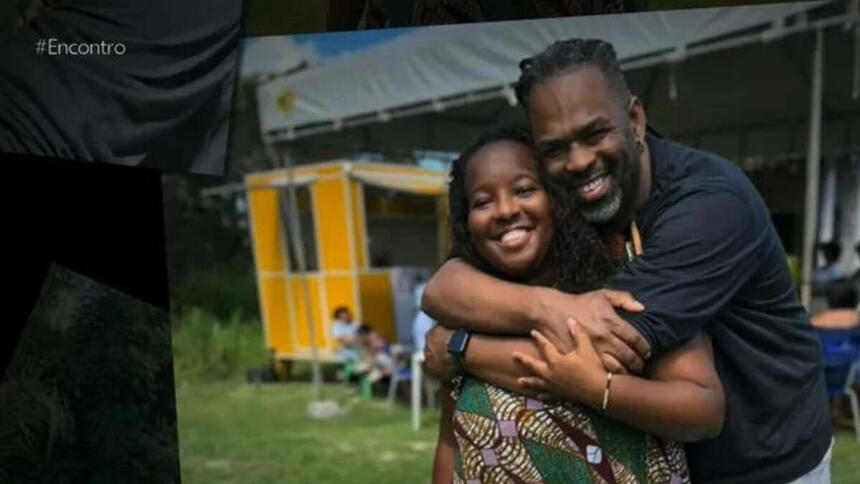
(683, 400)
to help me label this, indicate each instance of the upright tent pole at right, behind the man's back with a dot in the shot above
(813, 161)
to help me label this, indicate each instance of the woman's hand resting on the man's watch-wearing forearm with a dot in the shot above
(577, 376)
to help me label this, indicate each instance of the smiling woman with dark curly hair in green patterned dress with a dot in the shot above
(503, 221)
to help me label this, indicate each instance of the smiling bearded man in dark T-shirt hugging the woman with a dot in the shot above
(710, 260)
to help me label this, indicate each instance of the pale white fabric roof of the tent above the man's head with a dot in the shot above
(438, 66)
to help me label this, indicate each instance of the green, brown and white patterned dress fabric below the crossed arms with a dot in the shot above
(504, 437)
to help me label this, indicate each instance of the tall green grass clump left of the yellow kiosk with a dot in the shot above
(208, 348)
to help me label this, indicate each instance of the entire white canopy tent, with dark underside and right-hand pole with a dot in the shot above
(464, 72)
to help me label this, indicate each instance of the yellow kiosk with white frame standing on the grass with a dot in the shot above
(367, 229)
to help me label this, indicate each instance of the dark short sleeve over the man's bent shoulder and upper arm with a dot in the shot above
(699, 254)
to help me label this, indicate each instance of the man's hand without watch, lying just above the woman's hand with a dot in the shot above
(620, 346)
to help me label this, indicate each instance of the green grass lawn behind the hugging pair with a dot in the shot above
(234, 432)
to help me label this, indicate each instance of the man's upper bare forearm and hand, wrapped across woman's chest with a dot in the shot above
(460, 296)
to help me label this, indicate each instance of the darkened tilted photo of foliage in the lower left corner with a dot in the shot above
(88, 396)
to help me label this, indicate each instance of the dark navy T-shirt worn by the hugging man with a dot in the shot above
(713, 262)
